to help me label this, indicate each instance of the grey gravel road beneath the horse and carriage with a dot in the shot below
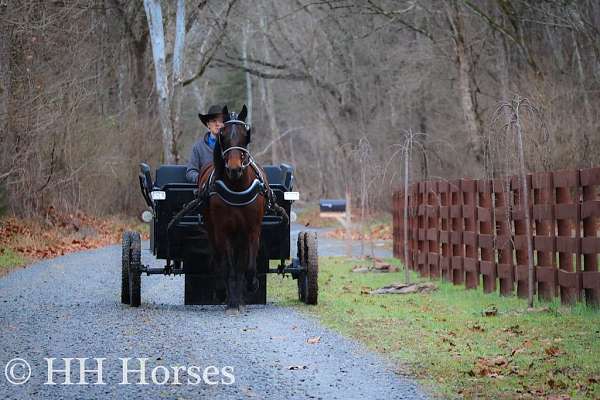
(69, 307)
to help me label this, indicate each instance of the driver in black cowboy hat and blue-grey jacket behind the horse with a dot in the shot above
(202, 152)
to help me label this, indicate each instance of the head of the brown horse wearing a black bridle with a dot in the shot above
(233, 143)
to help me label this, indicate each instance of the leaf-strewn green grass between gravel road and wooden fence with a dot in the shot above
(444, 340)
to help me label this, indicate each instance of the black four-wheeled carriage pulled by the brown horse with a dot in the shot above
(186, 250)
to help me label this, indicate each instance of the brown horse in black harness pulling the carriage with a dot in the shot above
(237, 194)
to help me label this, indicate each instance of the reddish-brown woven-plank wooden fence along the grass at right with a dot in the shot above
(473, 232)
